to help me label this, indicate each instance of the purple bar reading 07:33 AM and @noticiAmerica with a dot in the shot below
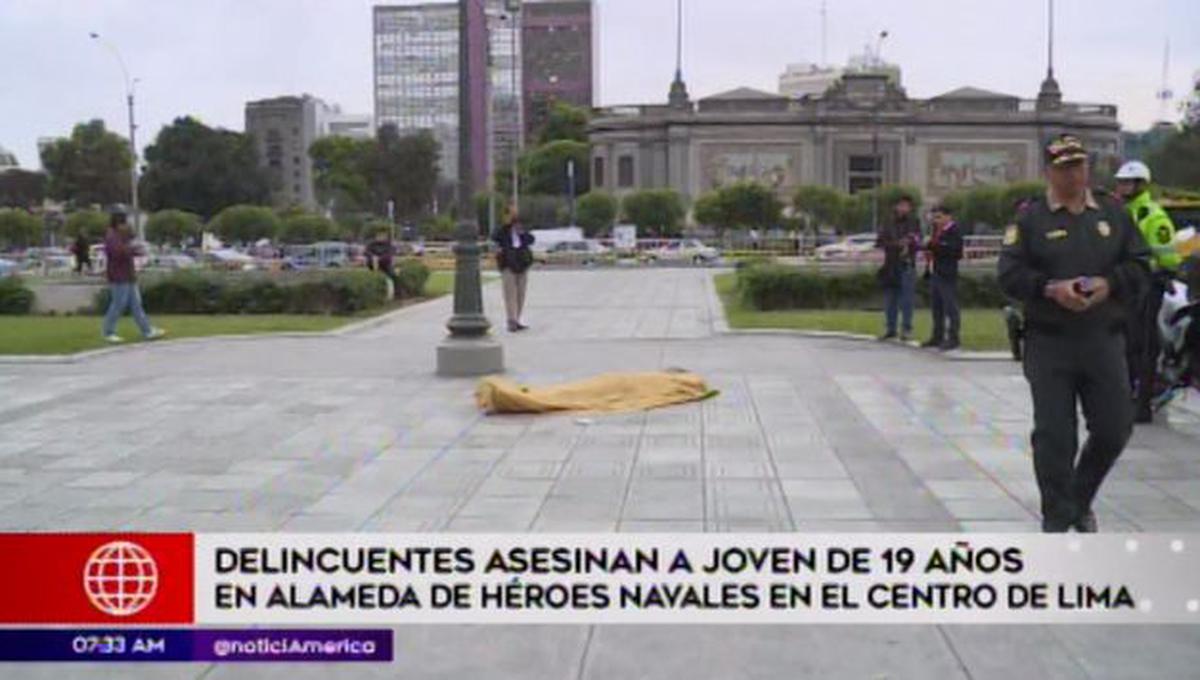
(197, 646)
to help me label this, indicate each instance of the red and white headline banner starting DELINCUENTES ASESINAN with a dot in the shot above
(357, 580)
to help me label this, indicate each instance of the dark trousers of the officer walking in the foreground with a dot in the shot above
(1064, 370)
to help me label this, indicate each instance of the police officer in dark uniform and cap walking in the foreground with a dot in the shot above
(1075, 260)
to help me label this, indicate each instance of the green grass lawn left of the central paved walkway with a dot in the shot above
(68, 335)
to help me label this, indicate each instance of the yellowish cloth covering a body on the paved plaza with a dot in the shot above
(607, 393)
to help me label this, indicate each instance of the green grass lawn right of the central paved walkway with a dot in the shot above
(982, 329)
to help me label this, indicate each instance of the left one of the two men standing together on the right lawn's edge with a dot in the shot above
(901, 240)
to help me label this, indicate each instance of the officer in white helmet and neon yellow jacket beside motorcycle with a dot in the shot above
(1159, 232)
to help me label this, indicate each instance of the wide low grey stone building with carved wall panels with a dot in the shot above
(861, 133)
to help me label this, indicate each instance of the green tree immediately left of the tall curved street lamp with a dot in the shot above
(91, 167)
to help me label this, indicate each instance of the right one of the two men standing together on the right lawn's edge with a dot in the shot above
(944, 251)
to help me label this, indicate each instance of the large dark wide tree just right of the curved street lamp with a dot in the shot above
(200, 170)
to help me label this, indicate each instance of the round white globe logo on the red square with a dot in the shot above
(121, 579)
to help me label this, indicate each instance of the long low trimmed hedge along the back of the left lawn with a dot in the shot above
(344, 292)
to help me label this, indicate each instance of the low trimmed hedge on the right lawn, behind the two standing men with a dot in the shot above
(782, 287)
